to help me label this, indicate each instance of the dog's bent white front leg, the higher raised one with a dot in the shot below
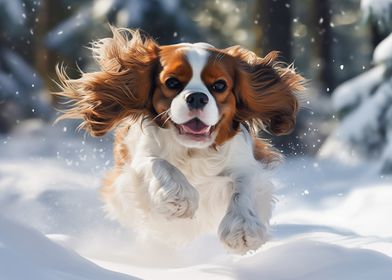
(170, 192)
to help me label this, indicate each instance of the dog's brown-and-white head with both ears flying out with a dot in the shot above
(199, 92)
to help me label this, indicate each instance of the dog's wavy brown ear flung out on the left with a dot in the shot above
(120, 89)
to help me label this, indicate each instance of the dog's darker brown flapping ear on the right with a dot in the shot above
(265, 90)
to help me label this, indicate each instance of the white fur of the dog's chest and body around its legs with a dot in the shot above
(212, 172)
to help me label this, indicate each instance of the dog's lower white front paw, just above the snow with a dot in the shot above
(242, 233)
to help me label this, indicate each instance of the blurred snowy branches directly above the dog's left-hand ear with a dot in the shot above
(164, 20)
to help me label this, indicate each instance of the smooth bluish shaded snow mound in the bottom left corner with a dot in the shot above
(27, 254)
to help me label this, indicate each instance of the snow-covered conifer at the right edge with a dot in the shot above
(364, 103)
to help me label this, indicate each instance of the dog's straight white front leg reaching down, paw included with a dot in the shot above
(241, 229)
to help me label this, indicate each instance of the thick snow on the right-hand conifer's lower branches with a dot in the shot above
(359, 134)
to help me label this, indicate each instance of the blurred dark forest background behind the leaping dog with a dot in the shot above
(329, 41)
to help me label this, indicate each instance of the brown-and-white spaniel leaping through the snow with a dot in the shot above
(187, 159)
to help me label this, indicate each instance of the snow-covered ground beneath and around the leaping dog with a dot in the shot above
(331, 221)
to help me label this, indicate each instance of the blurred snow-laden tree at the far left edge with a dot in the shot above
(20, 84)
